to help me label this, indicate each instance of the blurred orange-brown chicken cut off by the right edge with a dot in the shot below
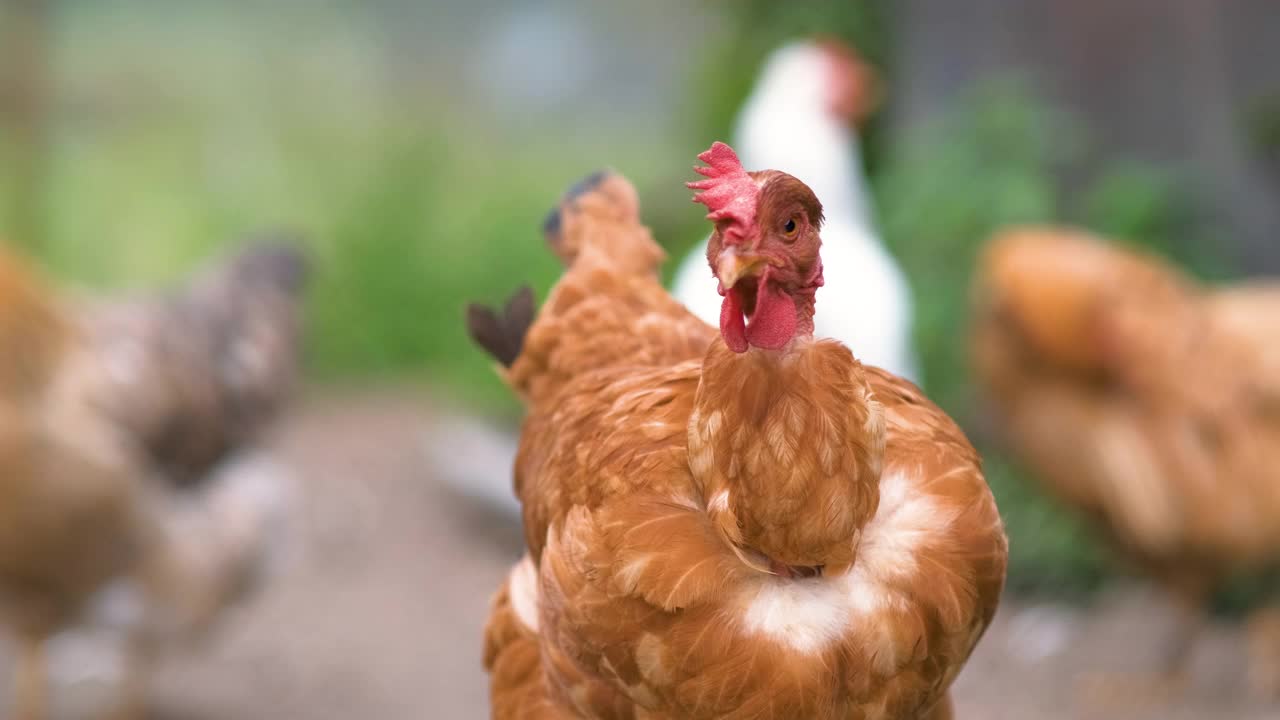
(1144, 400)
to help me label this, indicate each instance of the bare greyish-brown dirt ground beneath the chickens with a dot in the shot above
(380, 610)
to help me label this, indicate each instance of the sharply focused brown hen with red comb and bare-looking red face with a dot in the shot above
(751, 525)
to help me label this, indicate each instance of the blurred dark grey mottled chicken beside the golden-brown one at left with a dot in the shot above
(203, 371)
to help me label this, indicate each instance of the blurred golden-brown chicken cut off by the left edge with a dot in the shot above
(72, 516)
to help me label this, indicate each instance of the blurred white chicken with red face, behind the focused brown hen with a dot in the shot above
(802, 120)
